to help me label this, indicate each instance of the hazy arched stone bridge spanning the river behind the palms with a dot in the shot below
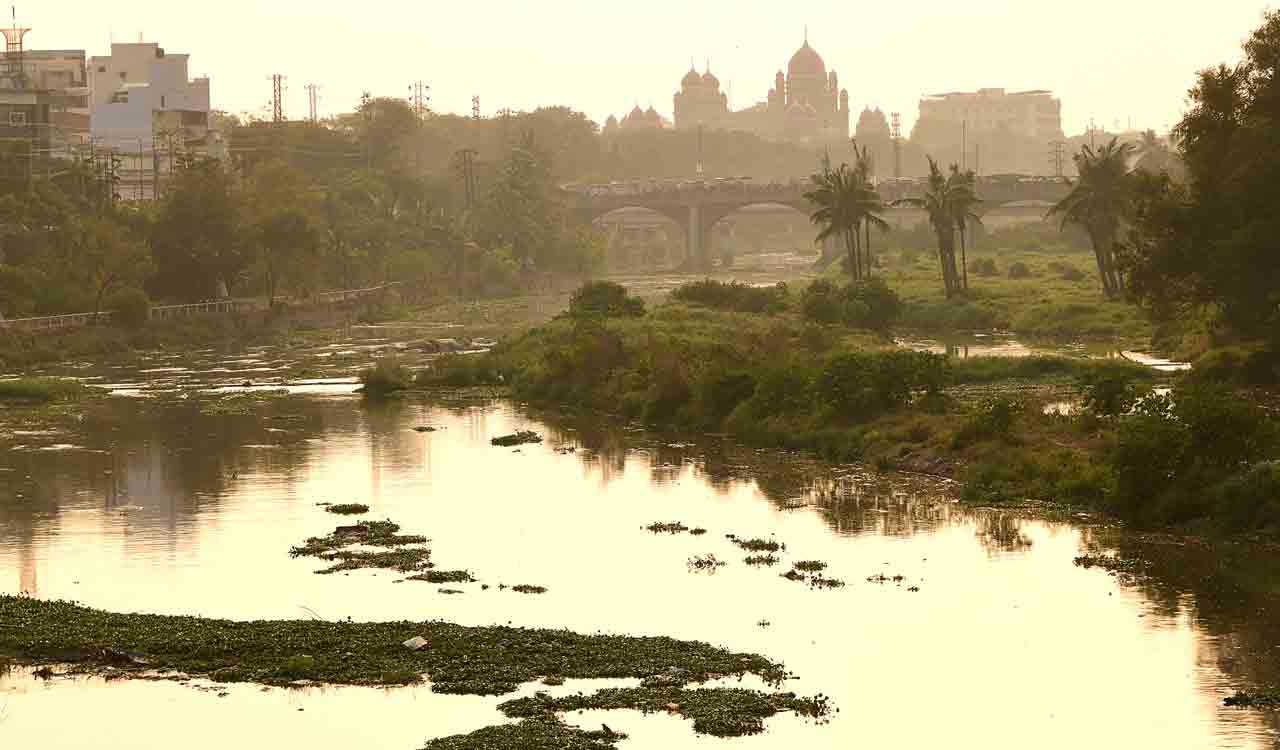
(700, 204)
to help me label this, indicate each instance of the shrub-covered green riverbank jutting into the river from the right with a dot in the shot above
(1049, 429)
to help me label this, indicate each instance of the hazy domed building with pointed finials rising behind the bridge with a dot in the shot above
(806, 103)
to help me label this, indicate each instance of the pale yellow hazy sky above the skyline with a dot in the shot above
(1109, 61)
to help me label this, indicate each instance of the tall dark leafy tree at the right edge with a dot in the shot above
(1212, 241)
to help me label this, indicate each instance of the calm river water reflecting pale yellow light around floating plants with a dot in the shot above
(185, 505)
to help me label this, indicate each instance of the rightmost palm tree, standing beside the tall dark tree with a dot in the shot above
(1099, 203)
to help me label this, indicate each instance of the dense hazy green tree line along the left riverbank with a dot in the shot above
(298, 209)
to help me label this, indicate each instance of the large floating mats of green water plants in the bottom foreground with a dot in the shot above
(465, 661)
